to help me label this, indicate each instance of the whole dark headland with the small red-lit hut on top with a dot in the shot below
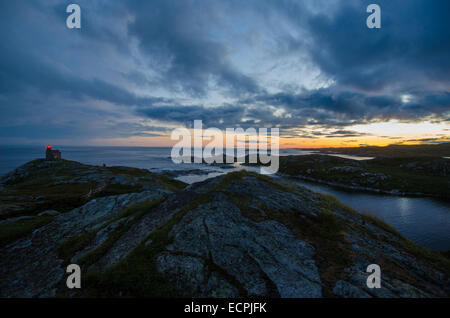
(62, 185)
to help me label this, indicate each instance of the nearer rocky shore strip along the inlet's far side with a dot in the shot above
(410, 176)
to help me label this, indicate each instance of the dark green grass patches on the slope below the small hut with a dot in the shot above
(41, 190)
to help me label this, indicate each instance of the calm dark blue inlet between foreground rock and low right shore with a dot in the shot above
(425, 221)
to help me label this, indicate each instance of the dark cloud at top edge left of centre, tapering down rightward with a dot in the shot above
(178, 35)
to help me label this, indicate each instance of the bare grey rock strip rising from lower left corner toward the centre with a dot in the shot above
(31, 267)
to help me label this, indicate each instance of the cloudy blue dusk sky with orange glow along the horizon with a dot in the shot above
(136, 70)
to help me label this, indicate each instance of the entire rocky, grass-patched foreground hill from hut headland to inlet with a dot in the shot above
(135, 233)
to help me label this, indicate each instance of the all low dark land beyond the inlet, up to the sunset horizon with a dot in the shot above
(410, 170)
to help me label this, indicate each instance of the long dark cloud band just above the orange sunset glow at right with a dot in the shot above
(332, 107)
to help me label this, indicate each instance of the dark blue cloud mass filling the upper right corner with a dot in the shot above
(412, 45)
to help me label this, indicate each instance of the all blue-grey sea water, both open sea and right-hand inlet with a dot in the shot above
(424, 221)
